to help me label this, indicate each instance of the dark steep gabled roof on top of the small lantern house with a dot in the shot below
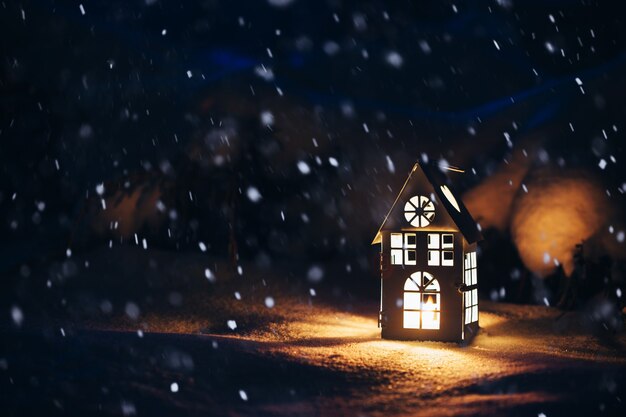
(445, 196)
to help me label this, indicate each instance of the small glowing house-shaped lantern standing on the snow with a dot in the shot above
(428, 264)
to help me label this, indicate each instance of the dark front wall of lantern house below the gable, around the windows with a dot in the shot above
(449, 277)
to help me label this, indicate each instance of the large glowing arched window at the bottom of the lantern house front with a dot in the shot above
(422, 302)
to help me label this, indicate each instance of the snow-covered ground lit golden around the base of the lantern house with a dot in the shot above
(319, 360)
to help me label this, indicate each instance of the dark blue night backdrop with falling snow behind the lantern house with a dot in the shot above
(171, 96)
